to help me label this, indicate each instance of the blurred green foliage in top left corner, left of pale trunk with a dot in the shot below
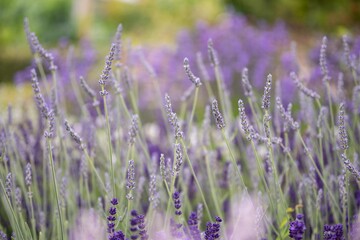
(50, 18)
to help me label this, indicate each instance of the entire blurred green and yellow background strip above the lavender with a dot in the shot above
(153, 23)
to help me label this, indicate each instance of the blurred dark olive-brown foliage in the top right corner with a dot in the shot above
(328, 15)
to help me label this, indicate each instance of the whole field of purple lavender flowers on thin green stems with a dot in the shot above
(232, 134)
